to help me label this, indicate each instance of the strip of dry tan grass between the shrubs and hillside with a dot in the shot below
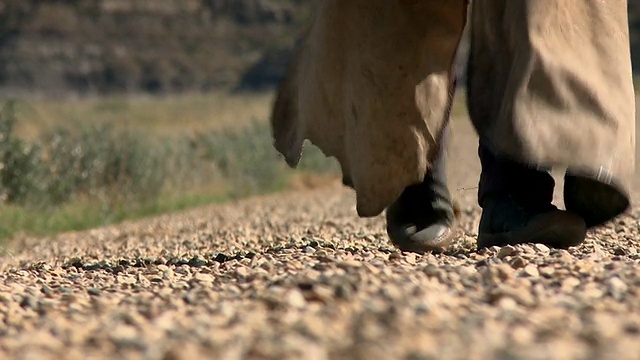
(159, 115)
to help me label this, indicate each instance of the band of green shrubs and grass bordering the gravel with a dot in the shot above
(86, 175)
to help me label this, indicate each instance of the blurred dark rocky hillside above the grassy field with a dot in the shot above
(159, 46)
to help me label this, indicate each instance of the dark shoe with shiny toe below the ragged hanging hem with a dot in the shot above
(423, 218)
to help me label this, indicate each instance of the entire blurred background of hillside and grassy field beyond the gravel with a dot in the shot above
(118, 109)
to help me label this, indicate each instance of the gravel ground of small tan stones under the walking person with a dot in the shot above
(299, 276)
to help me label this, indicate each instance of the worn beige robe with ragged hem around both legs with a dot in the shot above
(371, 83)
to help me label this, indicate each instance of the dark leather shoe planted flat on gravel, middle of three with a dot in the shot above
(505, 222)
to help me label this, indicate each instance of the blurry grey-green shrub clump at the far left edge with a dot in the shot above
(93, 161)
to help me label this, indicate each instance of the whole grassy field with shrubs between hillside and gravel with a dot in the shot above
(78, 164)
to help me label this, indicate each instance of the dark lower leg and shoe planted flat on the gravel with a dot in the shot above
(517, 206)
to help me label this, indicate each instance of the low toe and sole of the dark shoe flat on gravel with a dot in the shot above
(557, 230)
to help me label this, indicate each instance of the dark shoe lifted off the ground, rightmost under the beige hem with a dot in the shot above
(595, 201)
